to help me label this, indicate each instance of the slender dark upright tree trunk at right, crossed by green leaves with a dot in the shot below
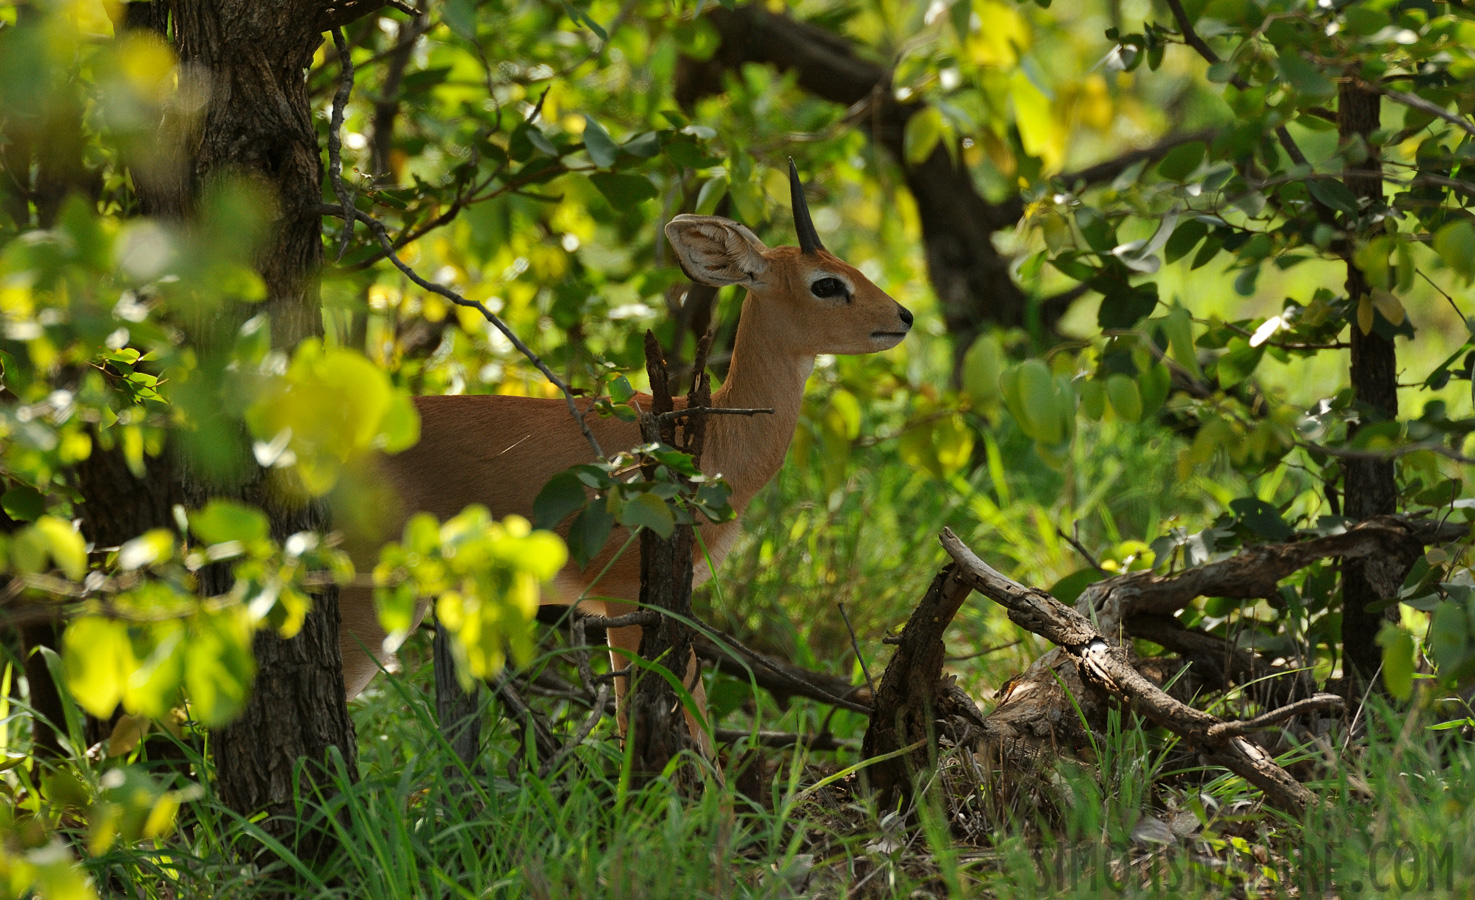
(1370, 483)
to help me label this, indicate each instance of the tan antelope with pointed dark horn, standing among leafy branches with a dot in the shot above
(499, 452)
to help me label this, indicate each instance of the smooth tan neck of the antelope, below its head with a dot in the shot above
(747, 451)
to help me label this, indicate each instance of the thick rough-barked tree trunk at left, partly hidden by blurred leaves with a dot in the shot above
(259, 129)
